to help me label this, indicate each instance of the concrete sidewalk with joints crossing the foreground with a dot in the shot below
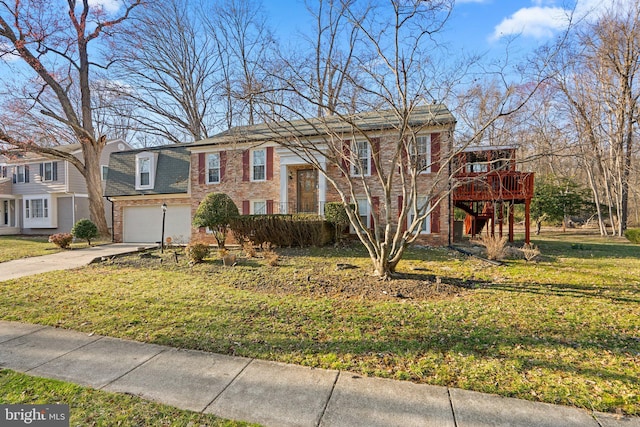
(272, 394)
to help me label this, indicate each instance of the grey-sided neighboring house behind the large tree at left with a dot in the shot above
(42, 195)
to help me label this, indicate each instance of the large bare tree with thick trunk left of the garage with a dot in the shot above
(54, 43)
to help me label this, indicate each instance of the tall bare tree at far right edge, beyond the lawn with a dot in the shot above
(597, 78)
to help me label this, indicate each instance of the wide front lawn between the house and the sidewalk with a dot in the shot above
(562, 330)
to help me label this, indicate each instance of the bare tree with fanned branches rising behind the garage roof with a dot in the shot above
(169, 71)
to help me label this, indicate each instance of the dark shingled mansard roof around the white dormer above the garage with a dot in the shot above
(172, 172)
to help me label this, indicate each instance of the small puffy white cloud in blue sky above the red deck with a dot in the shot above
(537, 22)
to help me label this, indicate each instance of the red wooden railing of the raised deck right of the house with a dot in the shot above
(496, 185)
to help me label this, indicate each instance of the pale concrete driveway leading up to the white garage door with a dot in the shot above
(64, 260)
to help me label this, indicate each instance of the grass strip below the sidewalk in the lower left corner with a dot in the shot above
(88, 407)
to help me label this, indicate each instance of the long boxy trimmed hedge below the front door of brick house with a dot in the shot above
(282, 230)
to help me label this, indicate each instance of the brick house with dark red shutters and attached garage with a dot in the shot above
(263, 177)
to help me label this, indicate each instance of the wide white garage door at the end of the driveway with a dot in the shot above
(143, 224)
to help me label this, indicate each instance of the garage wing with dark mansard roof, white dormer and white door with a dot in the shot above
(139, 182)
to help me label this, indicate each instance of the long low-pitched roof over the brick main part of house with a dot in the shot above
(426, 115)
